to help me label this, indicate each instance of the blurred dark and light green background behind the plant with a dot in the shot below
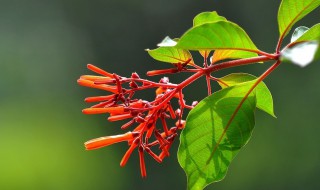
(44, 48)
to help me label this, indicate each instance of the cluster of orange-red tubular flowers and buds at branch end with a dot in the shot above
(143, 114)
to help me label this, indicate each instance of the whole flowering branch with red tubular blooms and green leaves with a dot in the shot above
(217, 127)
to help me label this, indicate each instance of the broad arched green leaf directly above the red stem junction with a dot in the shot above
(217, 35)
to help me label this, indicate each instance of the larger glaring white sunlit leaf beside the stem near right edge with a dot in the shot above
(302, 54)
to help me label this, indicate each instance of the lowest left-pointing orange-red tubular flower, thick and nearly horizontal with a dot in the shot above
(106, 141)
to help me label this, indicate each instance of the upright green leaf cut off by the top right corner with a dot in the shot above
(291, 11)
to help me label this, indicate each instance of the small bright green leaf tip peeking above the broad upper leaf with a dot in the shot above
(207, 17)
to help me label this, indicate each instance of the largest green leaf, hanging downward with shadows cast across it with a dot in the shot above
(215, 133)
